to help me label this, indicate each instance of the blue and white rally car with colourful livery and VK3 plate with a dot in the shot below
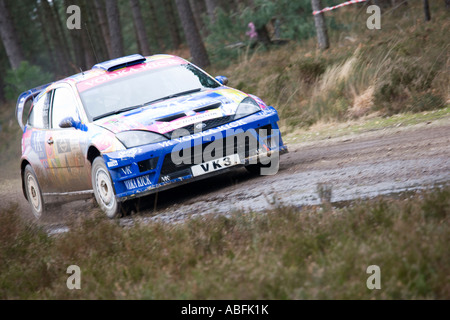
(137, 125)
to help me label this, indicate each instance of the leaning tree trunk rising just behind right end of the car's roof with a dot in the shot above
(193, 38)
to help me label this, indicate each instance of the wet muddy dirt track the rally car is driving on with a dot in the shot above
(359, 166)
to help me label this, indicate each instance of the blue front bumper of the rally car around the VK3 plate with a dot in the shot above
(151, 168)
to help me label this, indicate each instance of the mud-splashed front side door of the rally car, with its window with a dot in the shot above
(65, 147)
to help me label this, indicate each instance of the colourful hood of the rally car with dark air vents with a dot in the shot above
(171, 114)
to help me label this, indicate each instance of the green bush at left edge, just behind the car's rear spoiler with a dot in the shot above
(24, 78)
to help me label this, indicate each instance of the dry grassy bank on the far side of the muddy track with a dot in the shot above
(403, 67)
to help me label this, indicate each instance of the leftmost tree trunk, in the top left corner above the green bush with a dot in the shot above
(9, 37)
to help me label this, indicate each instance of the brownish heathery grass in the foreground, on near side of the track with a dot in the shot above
(286, 253)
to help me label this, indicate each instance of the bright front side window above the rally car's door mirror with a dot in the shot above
(64, 105)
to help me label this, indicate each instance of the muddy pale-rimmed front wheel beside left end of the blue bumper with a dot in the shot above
(104, 192)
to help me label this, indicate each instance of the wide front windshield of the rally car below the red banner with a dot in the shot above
(142, 88)
